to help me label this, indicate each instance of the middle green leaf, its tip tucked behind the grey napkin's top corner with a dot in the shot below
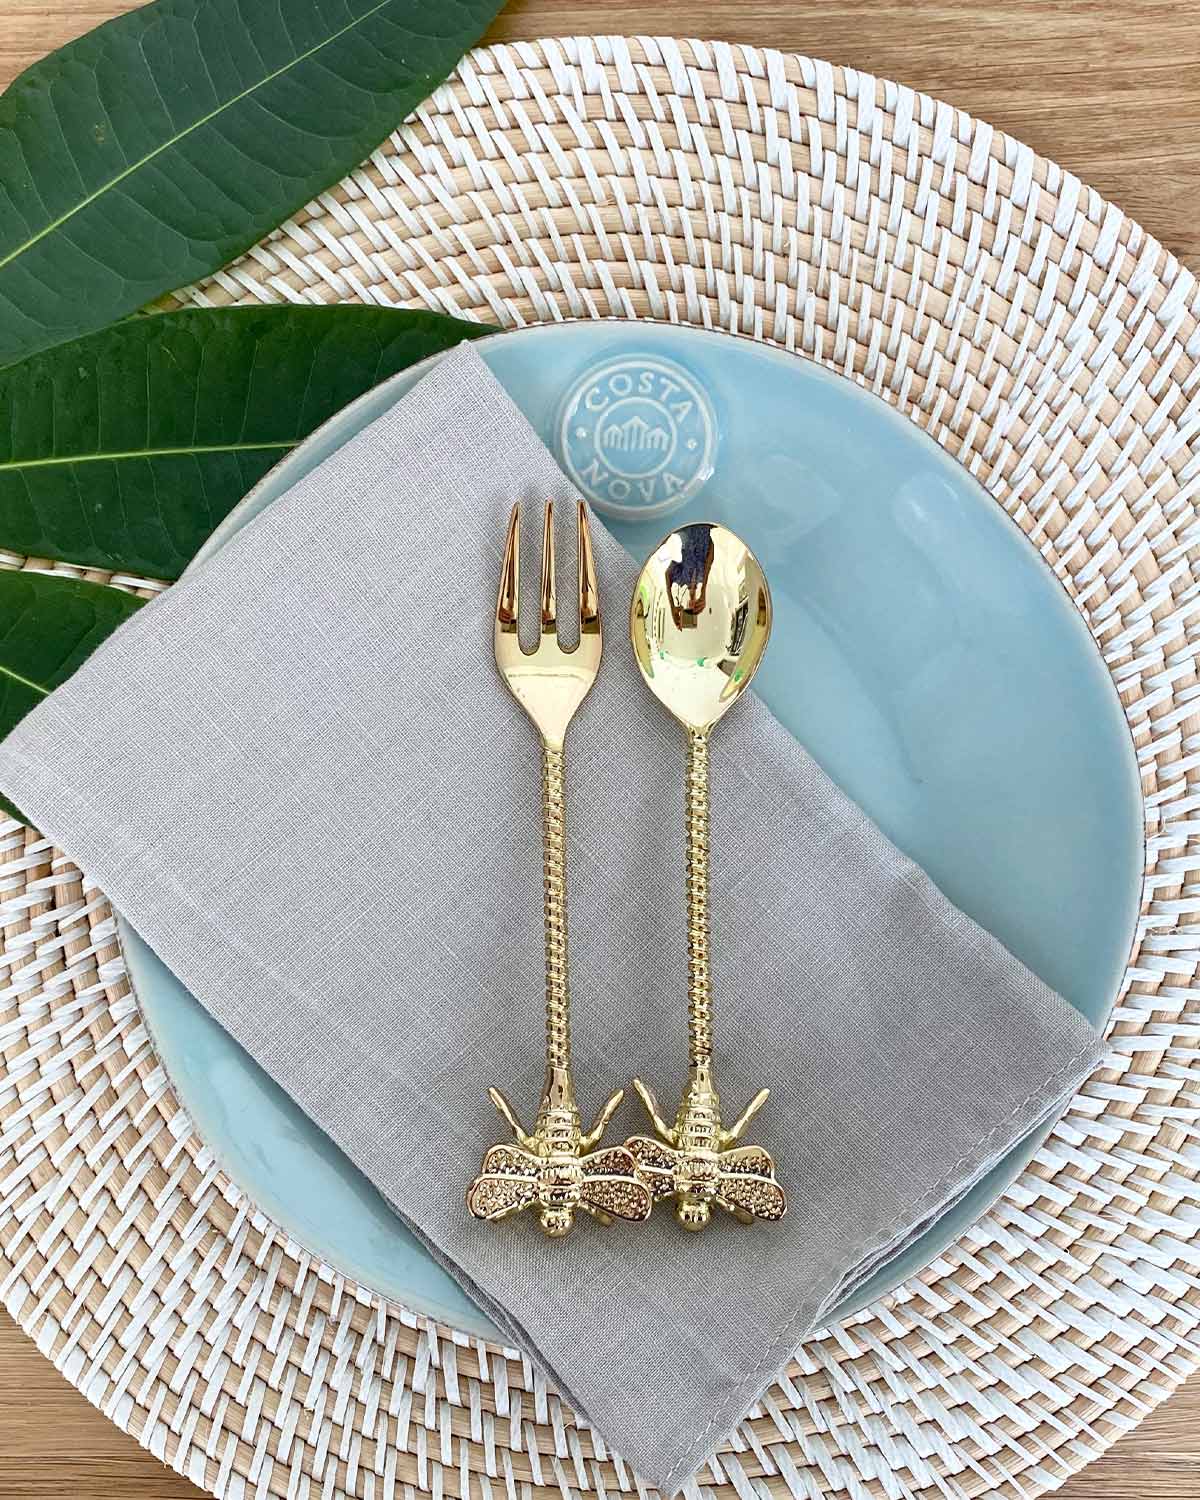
(125, 449)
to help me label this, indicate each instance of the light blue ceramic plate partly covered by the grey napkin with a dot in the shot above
(922, 650)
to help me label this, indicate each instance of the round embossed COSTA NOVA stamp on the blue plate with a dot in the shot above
(638, 437)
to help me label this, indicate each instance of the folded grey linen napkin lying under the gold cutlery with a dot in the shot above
(301, 778)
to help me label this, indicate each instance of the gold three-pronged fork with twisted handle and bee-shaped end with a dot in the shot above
(554, 1166)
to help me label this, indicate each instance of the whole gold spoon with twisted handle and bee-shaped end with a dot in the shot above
(700, 622)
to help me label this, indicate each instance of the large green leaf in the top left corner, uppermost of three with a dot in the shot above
(163, 145)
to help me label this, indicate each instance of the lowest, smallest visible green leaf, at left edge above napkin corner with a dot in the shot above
(49, 628)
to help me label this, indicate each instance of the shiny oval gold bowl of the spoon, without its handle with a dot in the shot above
(700, 622)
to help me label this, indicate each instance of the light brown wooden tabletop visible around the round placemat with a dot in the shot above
(1109, 91)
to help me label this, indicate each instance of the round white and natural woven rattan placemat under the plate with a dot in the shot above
(1052, 347)
